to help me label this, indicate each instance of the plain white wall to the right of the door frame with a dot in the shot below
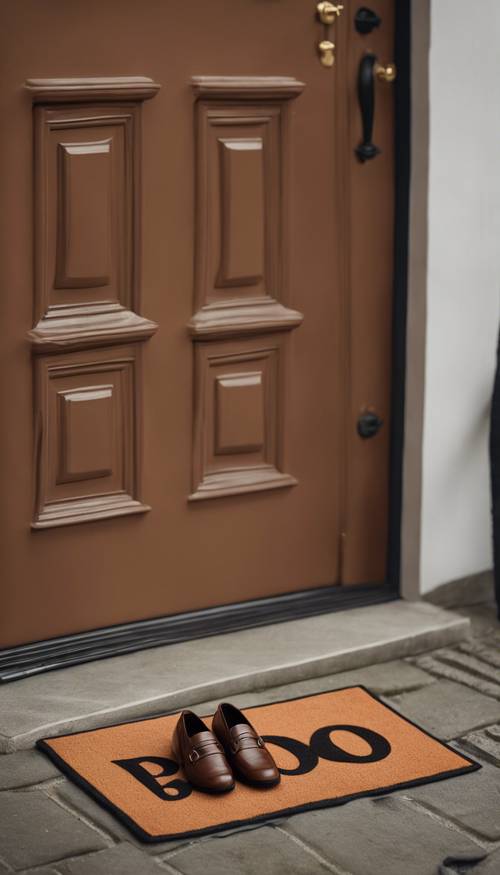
(463, 283)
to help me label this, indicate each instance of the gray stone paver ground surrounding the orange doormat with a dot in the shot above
(50, 827)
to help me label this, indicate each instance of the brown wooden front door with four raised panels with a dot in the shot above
(208, 309)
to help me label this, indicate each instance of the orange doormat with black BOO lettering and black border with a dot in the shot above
(330, 748)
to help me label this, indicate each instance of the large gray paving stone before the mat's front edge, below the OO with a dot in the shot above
(383, 835)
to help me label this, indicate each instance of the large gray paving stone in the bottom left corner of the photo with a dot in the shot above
(36, 831)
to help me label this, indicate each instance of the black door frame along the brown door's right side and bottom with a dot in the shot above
(29, 659)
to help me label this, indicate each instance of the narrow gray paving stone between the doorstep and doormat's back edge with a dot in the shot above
(387, 677)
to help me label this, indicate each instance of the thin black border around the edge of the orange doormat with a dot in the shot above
(42, 744)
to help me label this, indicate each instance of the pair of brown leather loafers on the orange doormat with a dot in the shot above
(212, 759)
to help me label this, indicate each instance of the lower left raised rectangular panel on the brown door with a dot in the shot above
(87, 437)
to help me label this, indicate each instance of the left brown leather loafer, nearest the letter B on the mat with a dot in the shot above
(201, 756)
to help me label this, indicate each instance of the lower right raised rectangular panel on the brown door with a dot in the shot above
(239, 418)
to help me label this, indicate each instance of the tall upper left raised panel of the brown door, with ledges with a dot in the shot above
(87, 212)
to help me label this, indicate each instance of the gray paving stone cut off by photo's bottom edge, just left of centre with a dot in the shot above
(264, 851)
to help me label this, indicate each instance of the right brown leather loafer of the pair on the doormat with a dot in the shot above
(245, 750)
